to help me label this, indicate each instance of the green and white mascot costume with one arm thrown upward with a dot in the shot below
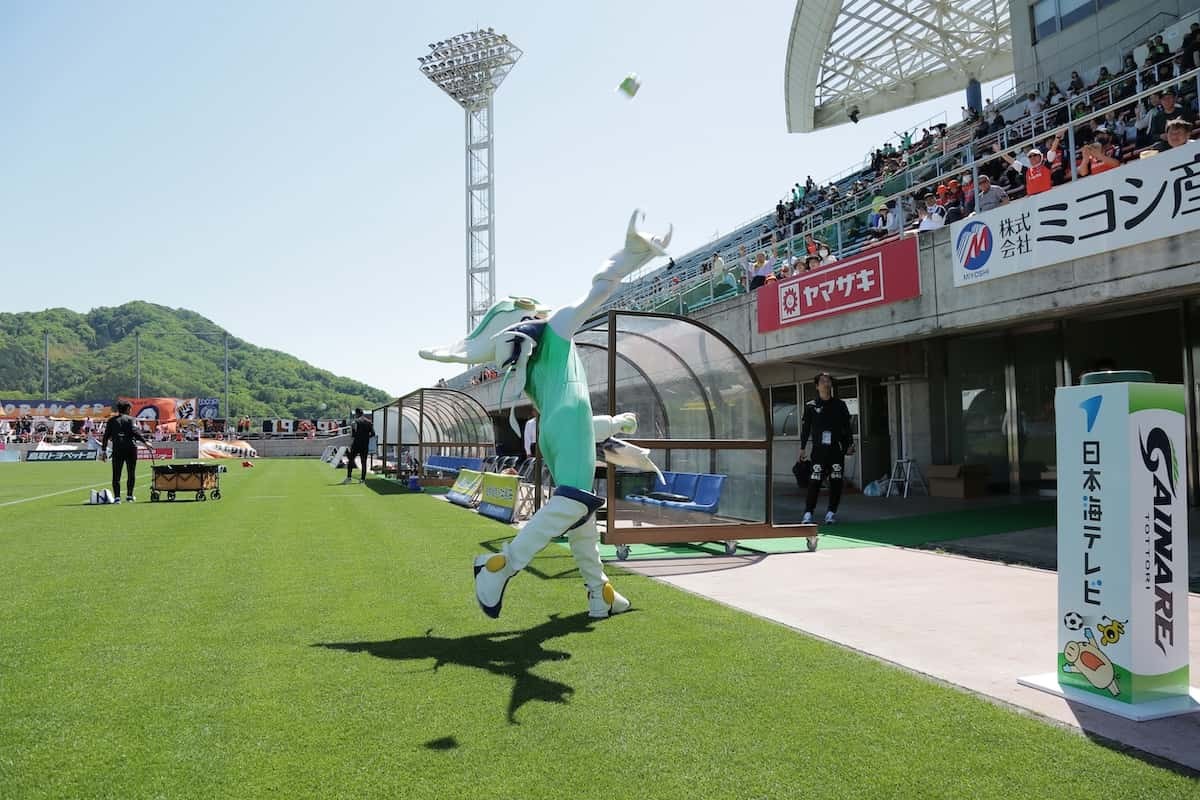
(535, 351)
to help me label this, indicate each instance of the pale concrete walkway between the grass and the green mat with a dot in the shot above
(975, 624)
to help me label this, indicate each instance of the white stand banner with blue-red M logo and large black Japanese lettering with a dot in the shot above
(1138, 203)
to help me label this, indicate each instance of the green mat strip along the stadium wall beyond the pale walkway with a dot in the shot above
(902, 532)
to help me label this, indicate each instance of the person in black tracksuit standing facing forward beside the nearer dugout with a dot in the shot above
(827, 424)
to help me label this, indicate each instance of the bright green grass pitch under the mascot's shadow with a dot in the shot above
(305, 640)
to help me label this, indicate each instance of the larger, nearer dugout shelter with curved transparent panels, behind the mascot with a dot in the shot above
(701, 412)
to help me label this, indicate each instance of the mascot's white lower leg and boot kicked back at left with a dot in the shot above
(495, 570)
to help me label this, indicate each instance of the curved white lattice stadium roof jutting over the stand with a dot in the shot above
(885, 55)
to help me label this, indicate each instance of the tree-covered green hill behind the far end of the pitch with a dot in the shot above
(183, 356)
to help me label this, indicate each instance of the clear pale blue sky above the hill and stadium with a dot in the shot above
(285, 170)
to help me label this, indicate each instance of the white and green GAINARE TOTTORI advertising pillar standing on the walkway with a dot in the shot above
(1123, 549)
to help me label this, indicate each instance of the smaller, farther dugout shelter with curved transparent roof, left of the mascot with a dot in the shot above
(435, 422)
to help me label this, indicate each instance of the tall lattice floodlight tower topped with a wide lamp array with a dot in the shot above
(470, 68)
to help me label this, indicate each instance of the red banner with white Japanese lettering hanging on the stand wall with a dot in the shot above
(883, 275)
